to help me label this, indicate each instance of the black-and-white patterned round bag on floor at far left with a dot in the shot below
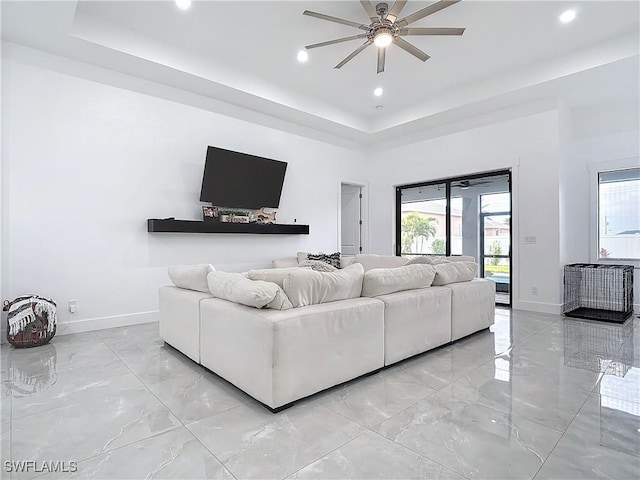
(31, 321)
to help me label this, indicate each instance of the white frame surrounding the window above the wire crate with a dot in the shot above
(594, 170)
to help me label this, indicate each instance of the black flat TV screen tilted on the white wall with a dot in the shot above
(239, 180)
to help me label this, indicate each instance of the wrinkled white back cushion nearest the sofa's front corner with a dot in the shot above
(306, 287)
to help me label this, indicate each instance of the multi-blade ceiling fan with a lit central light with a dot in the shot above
(385, 28)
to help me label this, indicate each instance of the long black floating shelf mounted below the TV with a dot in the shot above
(171, 225)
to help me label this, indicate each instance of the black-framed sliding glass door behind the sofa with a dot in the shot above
(460, 216)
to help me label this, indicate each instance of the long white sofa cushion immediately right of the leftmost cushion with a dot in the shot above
(235, 287)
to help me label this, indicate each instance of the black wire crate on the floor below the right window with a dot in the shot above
(598, 292)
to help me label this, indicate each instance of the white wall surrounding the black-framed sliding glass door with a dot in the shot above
(529, 146)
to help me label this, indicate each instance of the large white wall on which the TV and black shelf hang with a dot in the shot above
(88, 163)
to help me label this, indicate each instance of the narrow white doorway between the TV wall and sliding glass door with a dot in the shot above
(350, 219)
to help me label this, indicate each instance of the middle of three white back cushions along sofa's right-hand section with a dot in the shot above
(380, 281)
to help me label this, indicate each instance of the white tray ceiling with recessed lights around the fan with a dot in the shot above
(244, 53)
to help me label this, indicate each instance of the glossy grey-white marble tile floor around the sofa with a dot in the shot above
(535, 396)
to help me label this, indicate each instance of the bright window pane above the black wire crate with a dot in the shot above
(619, 214)
